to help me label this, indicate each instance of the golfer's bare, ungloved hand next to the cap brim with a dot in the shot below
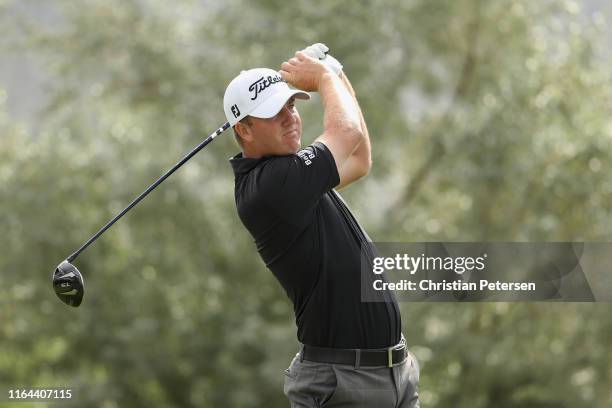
(304, 72)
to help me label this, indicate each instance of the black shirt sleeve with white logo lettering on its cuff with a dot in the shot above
(294, 184)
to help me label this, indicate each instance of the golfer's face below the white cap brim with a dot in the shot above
(277, 136)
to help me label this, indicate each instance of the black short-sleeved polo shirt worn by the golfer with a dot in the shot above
(308, 238)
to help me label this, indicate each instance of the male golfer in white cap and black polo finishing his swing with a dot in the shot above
(353, 353)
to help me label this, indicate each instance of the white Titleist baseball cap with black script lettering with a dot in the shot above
(258, 92)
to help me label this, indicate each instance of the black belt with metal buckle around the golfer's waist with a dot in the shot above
(386, 357)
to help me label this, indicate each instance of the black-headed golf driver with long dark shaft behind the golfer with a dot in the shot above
(67, 280)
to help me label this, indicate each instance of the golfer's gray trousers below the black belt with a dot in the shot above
(309, 384)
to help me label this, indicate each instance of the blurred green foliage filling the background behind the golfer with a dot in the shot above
(489, 121)
